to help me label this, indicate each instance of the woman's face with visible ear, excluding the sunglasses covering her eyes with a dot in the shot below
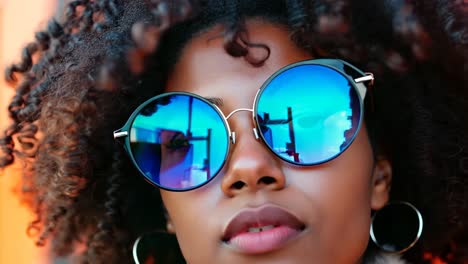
(323, 211)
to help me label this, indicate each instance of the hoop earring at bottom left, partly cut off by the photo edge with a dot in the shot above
(160, 246)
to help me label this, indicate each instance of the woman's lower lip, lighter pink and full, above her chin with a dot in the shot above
(265, 241)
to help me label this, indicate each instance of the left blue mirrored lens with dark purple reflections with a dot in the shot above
(179, 142)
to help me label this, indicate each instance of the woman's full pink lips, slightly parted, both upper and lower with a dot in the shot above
(262, 229)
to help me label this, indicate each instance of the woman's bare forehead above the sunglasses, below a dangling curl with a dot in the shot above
(205, 63)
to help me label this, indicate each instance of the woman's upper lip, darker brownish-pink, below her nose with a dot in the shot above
(261, 216)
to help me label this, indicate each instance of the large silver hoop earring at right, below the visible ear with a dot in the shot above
(396, 227)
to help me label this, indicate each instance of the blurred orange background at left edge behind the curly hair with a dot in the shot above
(19, 19)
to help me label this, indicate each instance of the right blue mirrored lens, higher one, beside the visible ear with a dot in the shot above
(308, 114)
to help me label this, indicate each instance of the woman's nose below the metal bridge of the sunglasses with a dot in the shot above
(251, 166)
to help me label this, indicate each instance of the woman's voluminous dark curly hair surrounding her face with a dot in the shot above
(83, 76)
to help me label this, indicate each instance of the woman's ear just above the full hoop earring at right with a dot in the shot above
(381, 183)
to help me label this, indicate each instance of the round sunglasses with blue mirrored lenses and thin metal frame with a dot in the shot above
(307, 113)
